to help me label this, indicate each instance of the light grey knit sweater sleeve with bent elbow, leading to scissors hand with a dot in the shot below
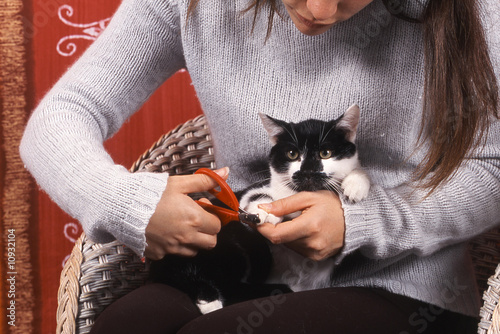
(63, 142)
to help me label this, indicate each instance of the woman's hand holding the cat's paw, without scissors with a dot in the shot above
(317, 233)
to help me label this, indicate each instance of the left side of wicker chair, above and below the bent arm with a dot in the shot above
(95, 274)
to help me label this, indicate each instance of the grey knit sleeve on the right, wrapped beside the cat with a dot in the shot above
(395, 222)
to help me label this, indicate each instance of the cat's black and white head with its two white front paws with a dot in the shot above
(309, 156)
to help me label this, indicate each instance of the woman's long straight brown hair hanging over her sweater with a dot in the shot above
(460, 88)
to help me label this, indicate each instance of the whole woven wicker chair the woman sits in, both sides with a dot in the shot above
(97, 274)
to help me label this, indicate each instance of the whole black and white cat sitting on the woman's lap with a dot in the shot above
(308, 156)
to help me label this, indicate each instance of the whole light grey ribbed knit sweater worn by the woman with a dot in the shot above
(394, 239)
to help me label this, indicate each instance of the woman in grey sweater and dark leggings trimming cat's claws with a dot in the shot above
(424, 79)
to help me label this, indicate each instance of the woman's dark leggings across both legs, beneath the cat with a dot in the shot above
(160, 309)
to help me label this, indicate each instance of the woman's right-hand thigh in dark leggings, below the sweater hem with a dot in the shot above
(333, 310)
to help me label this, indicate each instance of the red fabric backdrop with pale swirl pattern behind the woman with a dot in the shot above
(52, 24)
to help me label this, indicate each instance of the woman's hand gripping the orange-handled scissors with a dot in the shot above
(179, 225)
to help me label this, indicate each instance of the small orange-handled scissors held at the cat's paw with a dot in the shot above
(226, 196)
